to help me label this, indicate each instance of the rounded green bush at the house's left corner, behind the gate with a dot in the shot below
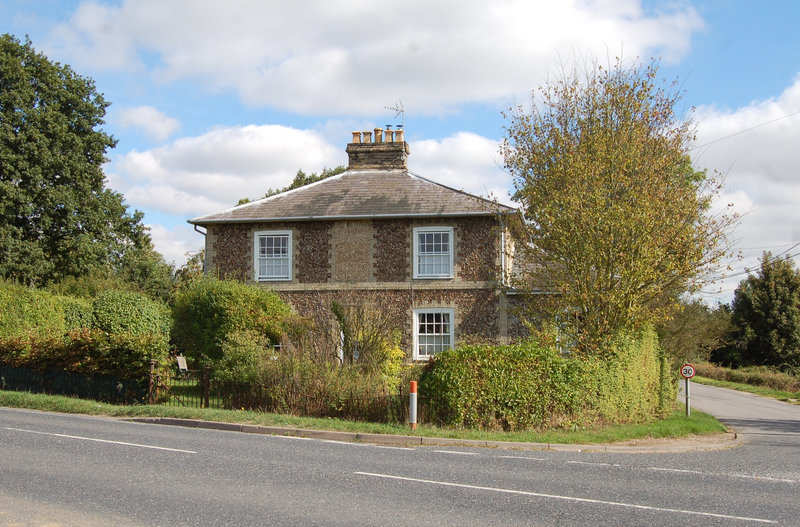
(207, 310)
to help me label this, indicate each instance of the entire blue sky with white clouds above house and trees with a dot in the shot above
(214, 101)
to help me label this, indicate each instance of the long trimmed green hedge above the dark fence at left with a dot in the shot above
(116, 334)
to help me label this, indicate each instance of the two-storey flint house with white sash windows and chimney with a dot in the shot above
(433, 257)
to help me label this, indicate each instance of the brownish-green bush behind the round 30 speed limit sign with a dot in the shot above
(694, 330)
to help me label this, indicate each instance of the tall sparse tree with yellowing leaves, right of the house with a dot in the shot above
(616, 217)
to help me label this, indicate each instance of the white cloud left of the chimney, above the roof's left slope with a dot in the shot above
(208, 173)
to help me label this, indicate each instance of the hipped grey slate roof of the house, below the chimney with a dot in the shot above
(360, 193)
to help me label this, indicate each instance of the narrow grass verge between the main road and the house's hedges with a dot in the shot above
(676, 425)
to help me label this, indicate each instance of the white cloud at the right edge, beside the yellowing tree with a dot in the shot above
(755, 147)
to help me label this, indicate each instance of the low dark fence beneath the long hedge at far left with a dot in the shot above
(107, 388)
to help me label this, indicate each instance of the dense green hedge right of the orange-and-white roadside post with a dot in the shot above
(531, 385)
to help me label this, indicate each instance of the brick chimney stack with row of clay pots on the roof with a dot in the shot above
(386, 151)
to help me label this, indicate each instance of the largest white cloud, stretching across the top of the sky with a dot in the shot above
(352, 57)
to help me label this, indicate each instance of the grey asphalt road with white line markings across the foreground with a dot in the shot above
(70, 470)
